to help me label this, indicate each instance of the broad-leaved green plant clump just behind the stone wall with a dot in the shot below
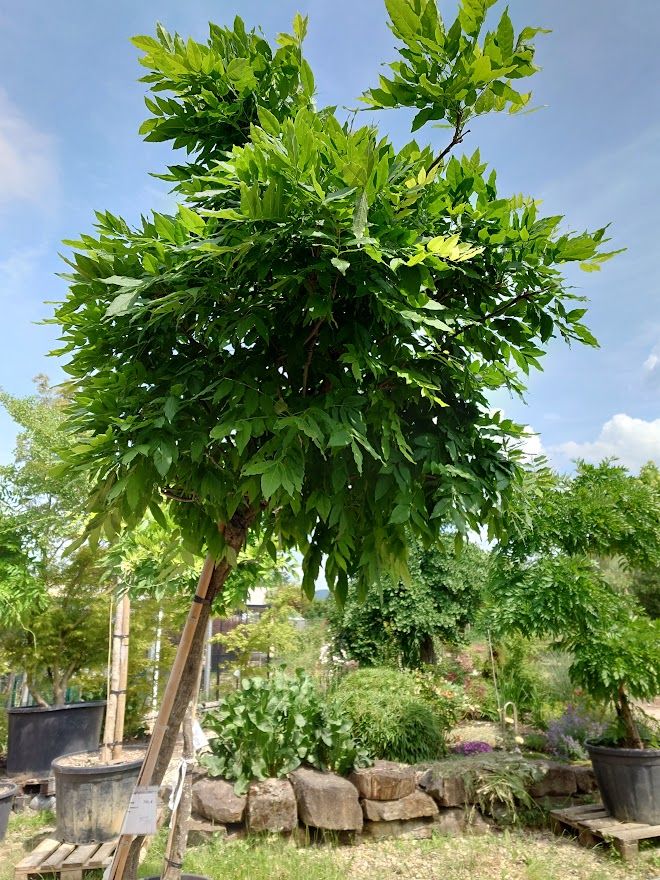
(270, 726)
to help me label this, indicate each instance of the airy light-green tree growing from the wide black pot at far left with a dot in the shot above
(53, 606)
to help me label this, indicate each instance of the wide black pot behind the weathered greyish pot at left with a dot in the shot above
(37, 735)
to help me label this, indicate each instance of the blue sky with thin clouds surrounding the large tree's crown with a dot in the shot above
(70, 107)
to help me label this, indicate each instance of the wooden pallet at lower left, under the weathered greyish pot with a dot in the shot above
(69, 860)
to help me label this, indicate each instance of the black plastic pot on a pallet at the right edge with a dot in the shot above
(629, 781)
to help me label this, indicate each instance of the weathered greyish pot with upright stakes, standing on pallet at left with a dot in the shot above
(91, 801)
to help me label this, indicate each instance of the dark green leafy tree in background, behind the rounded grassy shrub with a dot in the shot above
(398, 623)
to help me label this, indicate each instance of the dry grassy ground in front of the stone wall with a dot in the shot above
(517, 855)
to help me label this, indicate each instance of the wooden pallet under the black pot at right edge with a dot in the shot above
(593, 825)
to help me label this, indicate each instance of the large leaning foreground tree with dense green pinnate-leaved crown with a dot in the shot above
(305, 348)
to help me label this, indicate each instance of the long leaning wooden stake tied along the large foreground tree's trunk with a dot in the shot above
(116, 870)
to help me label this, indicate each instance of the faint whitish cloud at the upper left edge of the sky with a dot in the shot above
(27, 160)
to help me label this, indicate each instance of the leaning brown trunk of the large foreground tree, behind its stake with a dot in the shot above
(235, 534)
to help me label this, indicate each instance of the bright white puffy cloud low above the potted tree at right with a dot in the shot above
(632, 441)
